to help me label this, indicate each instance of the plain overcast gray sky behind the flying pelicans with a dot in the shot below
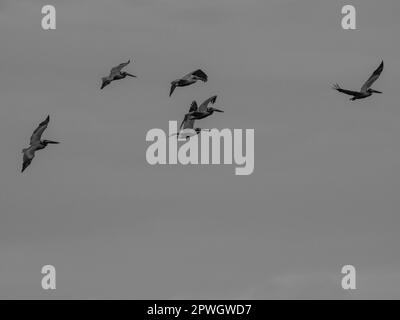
(324, 192)
